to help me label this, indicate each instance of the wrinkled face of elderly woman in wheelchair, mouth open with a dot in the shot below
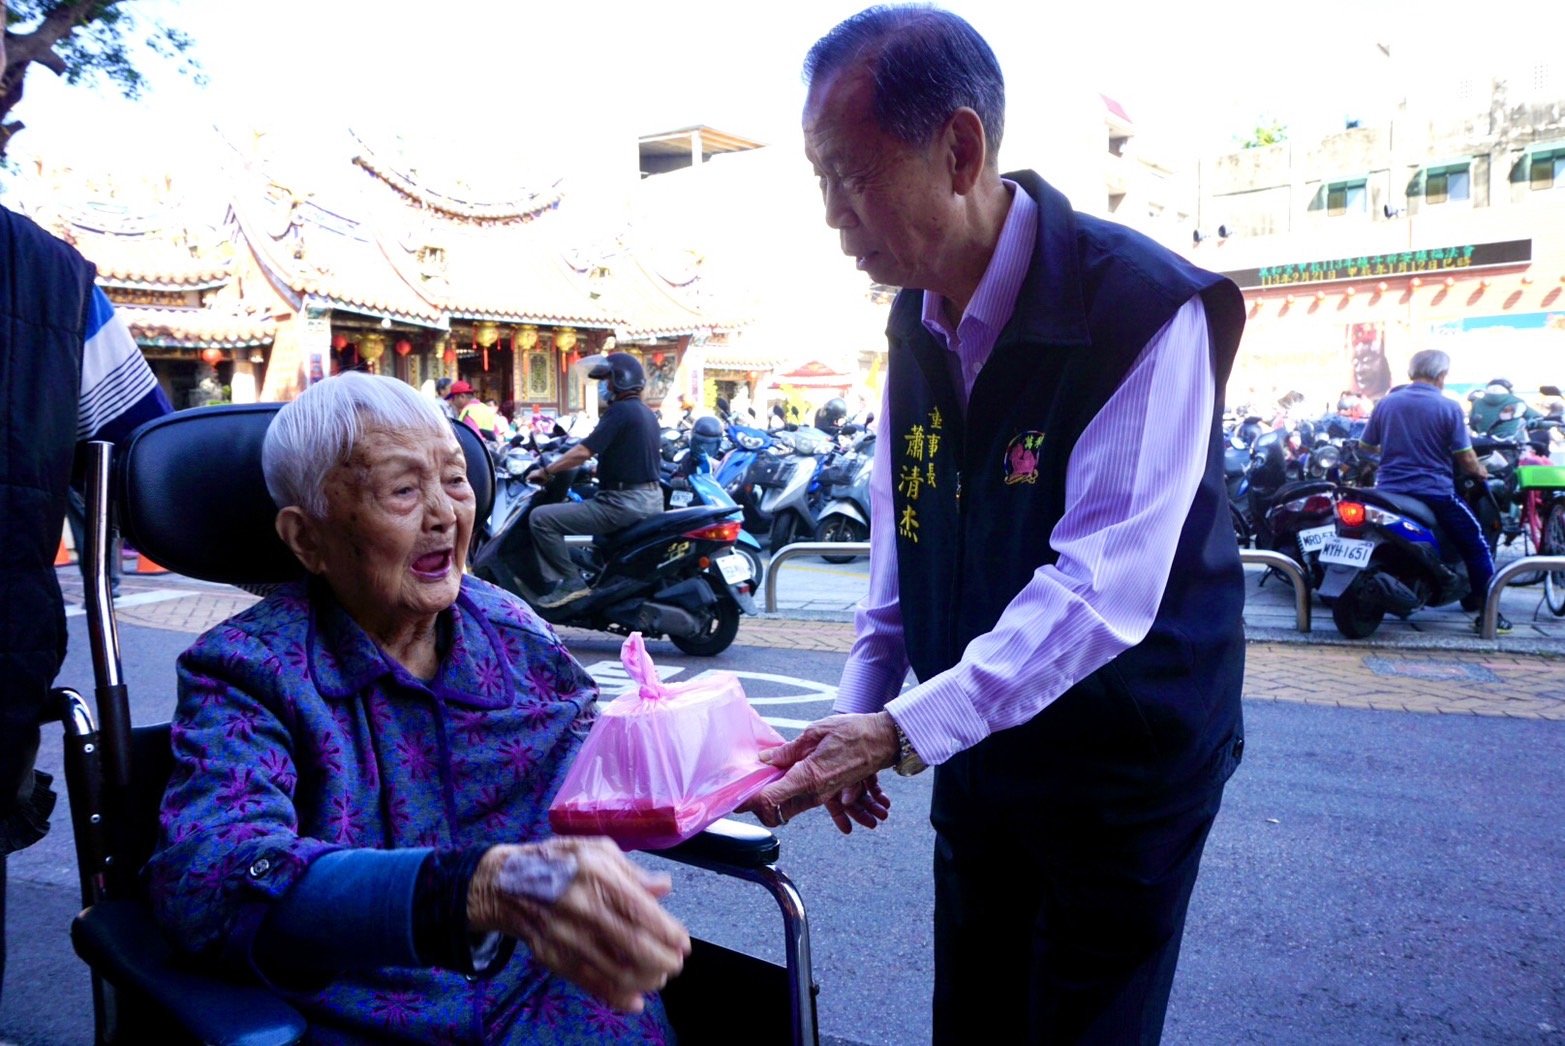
(400, 514)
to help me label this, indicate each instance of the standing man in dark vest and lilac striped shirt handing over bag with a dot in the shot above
(1052, 552)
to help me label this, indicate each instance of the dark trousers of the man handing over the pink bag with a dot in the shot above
(1059, 917)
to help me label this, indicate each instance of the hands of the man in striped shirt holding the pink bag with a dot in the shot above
(835, 762)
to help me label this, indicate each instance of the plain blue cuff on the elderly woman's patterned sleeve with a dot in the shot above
(353, 911)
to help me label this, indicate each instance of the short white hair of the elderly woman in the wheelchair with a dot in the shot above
(318, 431)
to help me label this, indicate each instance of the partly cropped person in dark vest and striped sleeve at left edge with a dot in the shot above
(70, 372)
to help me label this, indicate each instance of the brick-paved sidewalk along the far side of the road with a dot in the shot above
(1439, 669)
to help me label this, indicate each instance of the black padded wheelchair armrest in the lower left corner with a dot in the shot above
(123, 945)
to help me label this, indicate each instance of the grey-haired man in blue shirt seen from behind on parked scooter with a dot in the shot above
(1420, 436)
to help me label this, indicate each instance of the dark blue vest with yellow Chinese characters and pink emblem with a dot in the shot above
(977, 497)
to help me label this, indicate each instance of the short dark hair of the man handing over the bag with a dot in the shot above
(926, 63)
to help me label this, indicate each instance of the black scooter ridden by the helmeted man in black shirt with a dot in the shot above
(674, 574)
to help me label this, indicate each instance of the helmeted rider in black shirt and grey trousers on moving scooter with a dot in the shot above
(627, 442)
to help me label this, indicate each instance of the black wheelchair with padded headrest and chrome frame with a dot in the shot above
(187, 491)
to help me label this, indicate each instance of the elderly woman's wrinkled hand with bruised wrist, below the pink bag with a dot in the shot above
(606, 932)
